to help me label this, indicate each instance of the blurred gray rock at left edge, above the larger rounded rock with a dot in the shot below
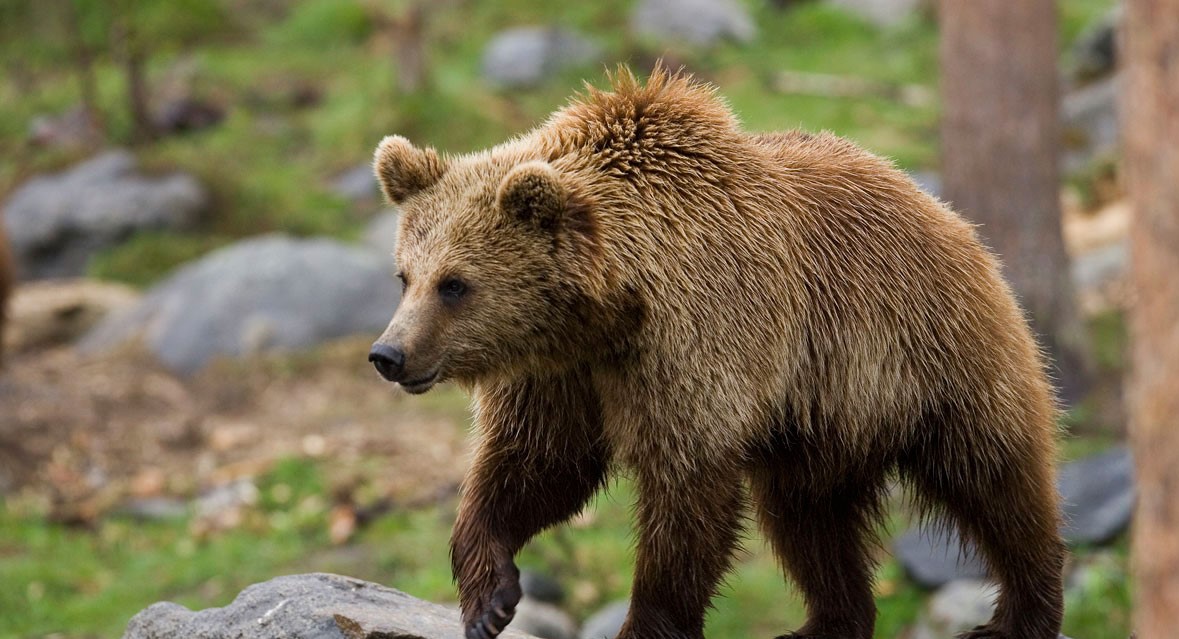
(57, 223)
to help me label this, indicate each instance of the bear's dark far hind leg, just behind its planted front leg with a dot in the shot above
(824, 535)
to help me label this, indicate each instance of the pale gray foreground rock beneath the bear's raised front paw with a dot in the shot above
(306, 607)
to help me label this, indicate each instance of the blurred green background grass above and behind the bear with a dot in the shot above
(269, 164)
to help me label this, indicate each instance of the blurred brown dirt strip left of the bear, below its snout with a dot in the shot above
(85, 436)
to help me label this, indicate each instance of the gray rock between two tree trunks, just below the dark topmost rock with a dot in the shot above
(1090, 123)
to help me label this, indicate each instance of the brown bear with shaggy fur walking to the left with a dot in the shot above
(638, 285)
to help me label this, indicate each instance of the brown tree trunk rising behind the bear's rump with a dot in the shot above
(1000, 160)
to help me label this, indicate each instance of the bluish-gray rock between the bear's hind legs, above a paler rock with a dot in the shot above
(934, 557)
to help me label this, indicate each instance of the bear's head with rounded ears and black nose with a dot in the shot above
(496, 258)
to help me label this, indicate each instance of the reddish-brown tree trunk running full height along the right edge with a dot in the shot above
(1151, 116)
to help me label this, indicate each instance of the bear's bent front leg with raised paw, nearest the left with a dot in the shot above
(541, 459)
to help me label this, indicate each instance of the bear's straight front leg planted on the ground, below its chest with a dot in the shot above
(689, 524)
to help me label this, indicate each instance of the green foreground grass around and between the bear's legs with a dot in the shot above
(81, 583)
